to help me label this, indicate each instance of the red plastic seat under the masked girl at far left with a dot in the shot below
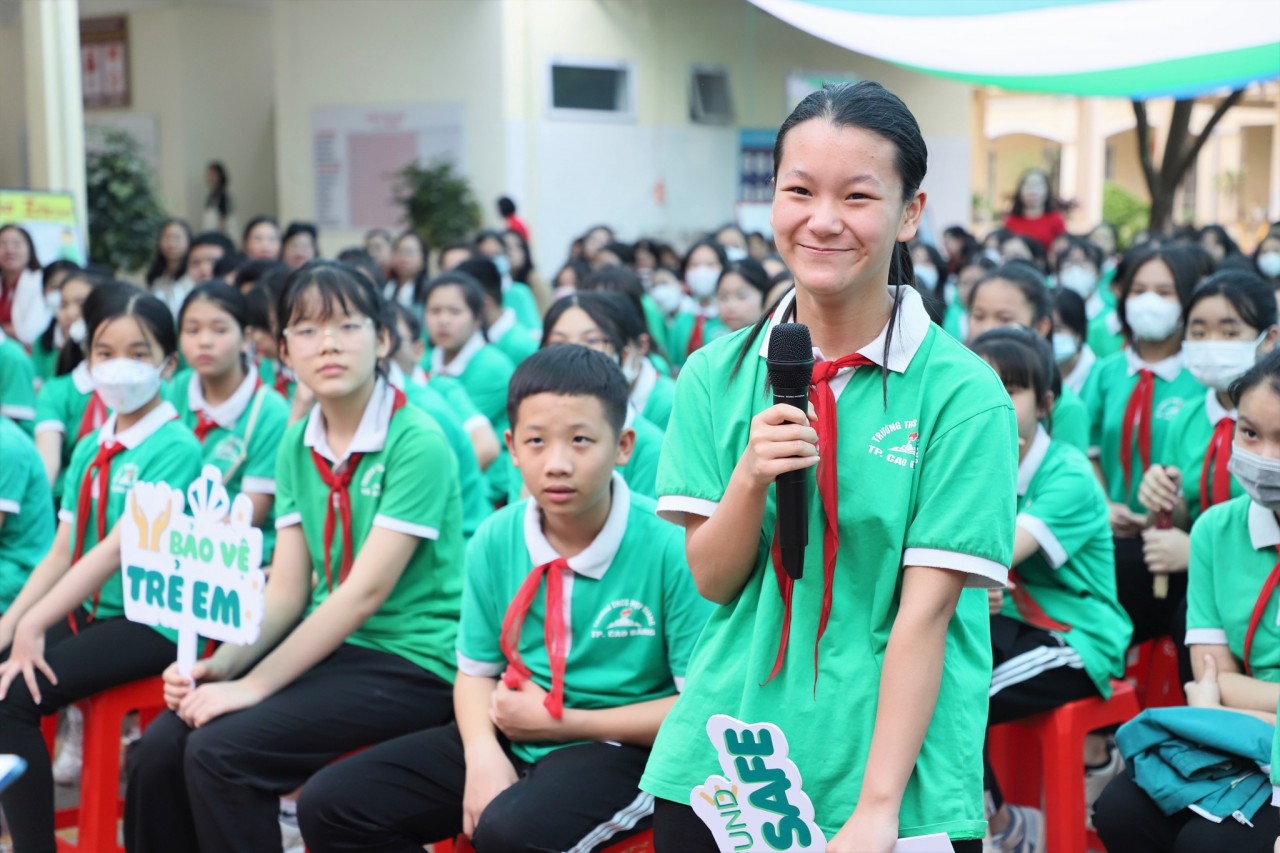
(100, 805)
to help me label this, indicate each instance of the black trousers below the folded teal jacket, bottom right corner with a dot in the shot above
(1130, 822)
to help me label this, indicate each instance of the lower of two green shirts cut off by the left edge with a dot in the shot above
(26, 508)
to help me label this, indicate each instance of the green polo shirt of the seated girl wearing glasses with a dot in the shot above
(409, 485)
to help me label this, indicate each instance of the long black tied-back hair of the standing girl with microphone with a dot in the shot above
(870, 107)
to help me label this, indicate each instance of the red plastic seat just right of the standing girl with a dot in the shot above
(1044, 758)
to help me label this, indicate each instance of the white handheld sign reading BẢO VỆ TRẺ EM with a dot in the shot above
(199, 574)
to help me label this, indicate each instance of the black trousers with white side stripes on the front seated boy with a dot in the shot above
(406, 793)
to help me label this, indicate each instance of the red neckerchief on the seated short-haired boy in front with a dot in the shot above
(554, 632)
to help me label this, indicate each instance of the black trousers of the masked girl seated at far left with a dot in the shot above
(106, 654)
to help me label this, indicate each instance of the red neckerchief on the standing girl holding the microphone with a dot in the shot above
(825, 412)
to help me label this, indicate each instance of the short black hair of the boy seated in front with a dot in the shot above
(572, 372)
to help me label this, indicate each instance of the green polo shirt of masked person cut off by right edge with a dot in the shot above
(1235, 548)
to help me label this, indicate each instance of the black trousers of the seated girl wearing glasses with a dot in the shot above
(217, 788)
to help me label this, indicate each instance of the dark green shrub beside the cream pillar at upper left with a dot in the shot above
(125, 215)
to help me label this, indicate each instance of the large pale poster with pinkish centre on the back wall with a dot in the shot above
(358, 150)
